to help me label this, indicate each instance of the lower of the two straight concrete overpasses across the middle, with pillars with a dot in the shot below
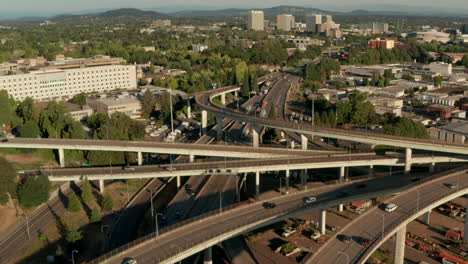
(256, 166)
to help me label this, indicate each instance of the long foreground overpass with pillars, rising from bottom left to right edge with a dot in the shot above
(201, 233)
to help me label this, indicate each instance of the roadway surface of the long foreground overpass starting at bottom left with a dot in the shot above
(199, 234)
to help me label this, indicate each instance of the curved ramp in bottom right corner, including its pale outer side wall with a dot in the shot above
(412, 203)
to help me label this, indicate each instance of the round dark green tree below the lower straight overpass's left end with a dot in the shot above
(34, 191)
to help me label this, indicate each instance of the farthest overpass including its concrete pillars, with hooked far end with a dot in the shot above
(205, 101)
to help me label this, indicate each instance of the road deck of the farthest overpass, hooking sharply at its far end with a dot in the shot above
(204, 101)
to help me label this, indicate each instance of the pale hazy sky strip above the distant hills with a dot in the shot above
(57, 6)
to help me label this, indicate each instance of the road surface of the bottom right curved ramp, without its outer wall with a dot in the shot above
(369, 225)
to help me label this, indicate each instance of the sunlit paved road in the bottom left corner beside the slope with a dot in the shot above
(16, 238)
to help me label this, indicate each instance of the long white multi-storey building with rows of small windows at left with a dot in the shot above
(55, 84)
